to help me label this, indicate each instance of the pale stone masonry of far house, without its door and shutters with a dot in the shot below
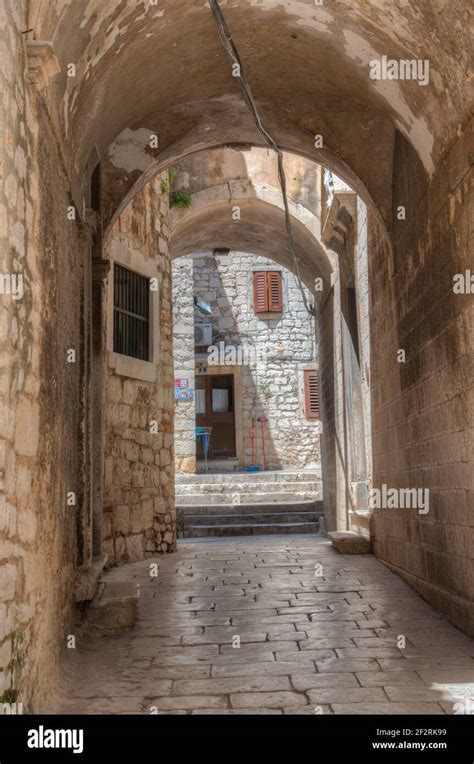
(279, 349)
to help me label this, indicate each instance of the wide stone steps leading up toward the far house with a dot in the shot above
(246, 504)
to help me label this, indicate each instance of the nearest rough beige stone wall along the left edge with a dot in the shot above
(43, 446)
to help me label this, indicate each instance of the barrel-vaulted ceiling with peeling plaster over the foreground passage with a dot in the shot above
(144, 67)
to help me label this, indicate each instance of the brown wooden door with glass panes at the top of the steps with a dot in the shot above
(215, 408)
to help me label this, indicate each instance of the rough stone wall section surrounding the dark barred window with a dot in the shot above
(139, 514)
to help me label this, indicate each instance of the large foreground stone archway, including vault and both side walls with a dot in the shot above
(94, 81)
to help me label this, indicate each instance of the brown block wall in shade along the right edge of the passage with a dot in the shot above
(423, 408)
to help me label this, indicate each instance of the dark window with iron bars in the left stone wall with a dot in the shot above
(131, 314)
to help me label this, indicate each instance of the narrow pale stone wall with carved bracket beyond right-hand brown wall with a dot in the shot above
(345, 362)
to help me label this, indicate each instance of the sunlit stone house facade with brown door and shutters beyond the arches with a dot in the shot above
(246, 364)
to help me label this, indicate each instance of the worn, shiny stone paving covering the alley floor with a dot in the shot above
(312, 639)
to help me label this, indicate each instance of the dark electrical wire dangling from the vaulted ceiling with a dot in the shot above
(234, 57)
